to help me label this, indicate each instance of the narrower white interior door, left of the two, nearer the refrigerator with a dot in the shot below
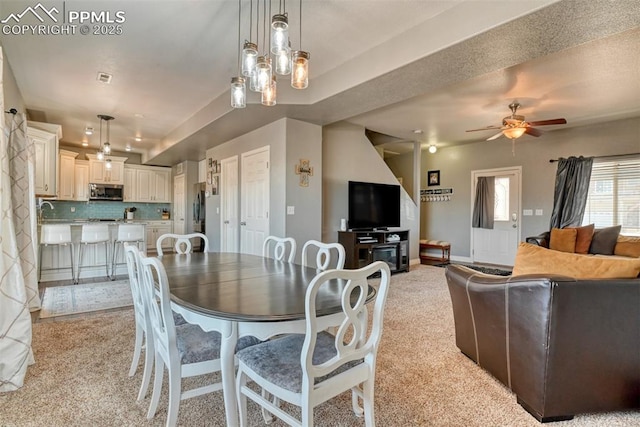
(229, 190)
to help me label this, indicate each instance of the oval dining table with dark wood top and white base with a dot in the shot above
(246, 295)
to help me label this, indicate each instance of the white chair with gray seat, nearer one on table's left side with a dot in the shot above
(185, 350)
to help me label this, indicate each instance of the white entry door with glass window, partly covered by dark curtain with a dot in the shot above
(499, 245)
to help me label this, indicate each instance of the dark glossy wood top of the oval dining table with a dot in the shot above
(245, 287)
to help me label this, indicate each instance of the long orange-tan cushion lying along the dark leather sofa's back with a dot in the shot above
(532, 259)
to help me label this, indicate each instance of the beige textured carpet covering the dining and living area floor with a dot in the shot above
(80, 376)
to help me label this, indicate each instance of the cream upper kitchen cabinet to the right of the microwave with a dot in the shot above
(148, 184)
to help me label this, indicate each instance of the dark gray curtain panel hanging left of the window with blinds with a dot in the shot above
(572, 188)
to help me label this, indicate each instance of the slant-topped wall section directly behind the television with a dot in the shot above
(349, 156)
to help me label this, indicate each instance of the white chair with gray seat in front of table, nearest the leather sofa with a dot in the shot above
(307, 370)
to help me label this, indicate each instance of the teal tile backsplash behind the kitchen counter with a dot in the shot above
(103, 209)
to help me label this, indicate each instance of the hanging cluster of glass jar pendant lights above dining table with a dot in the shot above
(257, 69)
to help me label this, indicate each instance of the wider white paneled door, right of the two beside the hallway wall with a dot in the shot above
(254, 205)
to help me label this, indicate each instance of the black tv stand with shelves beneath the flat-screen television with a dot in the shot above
(362, 247)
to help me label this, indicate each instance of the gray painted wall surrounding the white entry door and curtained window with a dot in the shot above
(451, 220)
